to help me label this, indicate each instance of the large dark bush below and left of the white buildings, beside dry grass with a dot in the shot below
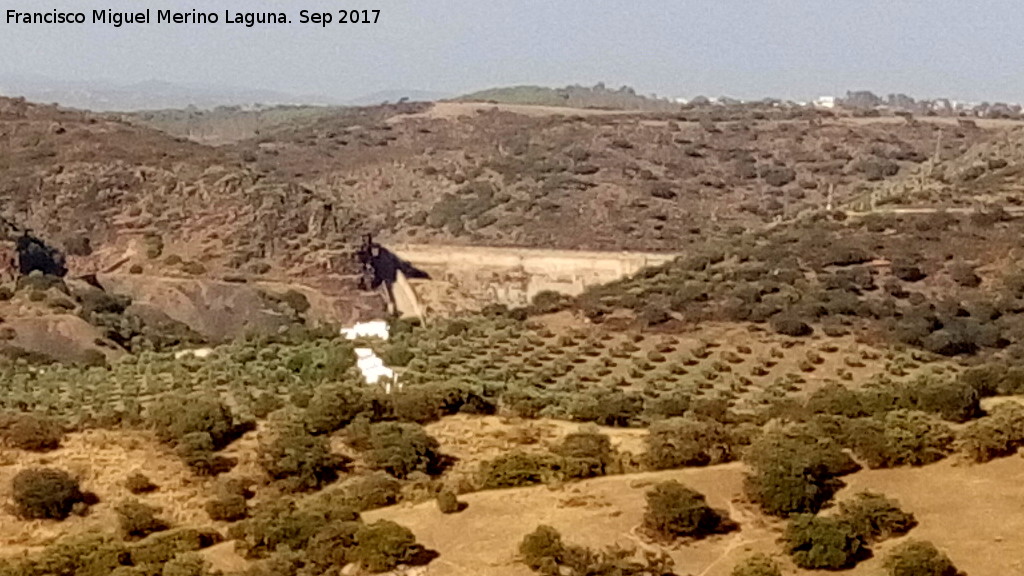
(302, 461)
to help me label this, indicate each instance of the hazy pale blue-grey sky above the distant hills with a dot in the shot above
(794, 49)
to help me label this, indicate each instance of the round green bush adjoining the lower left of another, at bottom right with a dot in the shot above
(823, 544)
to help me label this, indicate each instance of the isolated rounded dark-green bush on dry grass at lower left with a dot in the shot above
(45, 493)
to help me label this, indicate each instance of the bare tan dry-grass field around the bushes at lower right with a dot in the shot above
(971, 512)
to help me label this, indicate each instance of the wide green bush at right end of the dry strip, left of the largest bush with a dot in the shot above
(688, 442)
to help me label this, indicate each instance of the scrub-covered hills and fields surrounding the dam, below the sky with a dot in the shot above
(827, 378)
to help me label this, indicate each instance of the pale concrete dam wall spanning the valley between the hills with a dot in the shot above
(467, 278)
